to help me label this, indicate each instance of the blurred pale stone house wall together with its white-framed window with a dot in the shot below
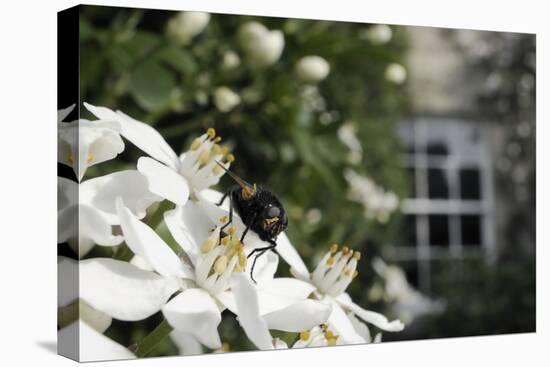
(454, 208)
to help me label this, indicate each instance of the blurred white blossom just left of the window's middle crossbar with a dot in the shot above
(377, 203)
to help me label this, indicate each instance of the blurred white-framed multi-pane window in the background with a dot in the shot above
(449, 211)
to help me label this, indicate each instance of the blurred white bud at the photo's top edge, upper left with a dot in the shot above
(186, 25)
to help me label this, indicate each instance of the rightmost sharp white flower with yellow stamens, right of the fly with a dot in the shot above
(331, 277)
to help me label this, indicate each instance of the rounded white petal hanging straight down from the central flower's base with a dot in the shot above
(195, 312)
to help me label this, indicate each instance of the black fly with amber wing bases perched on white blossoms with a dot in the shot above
(260, 210)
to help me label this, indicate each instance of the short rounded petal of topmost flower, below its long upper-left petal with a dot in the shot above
(164, 181)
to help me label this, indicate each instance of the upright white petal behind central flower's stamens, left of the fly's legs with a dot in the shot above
(189, 227)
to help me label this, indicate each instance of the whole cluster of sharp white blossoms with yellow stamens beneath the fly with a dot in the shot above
(211, 273)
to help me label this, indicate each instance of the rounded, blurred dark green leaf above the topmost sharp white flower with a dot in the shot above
(151, 85)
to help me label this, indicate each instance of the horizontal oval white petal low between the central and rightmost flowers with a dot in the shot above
(300, 316)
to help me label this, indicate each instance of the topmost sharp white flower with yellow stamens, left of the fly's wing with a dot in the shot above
(169, 176)
